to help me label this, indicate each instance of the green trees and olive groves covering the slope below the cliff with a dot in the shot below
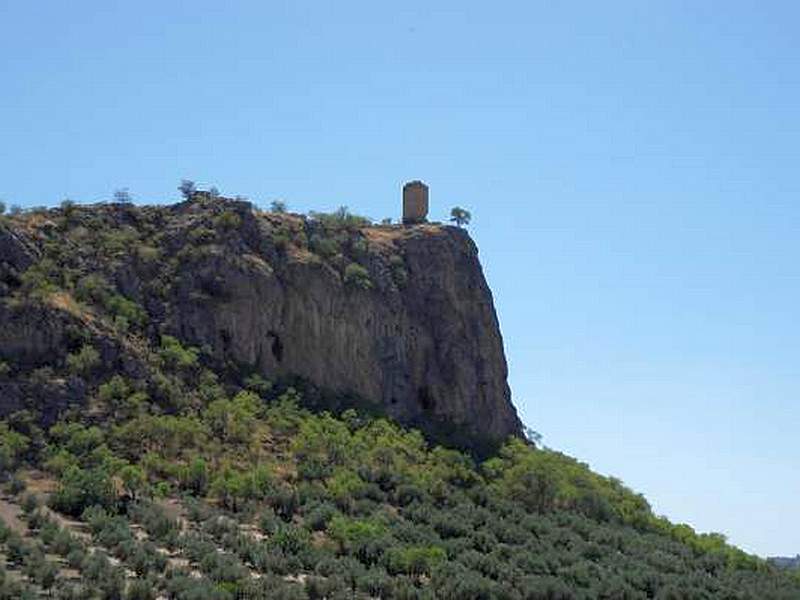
(324, 506)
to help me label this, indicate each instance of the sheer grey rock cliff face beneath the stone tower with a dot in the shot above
(400, 316)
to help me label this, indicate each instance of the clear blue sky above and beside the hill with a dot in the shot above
(632, 169)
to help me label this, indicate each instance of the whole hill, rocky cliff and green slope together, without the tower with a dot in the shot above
(163, 438)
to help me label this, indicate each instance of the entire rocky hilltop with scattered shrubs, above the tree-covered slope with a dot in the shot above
(398, 316)
